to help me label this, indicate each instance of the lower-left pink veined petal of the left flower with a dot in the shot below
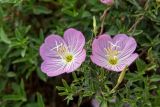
(53, 67)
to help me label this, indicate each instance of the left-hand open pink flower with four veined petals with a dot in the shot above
(62, 55)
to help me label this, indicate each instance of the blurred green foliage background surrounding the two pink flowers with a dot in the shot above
(24, 24)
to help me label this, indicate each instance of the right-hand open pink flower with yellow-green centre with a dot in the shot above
(114, 54)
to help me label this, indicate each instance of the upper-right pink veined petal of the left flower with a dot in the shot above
(74, 39)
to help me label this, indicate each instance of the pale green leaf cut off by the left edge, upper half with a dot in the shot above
(3, 37)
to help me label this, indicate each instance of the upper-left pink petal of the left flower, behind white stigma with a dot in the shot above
(49, 48)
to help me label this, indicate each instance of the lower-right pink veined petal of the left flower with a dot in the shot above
(78, 60)
